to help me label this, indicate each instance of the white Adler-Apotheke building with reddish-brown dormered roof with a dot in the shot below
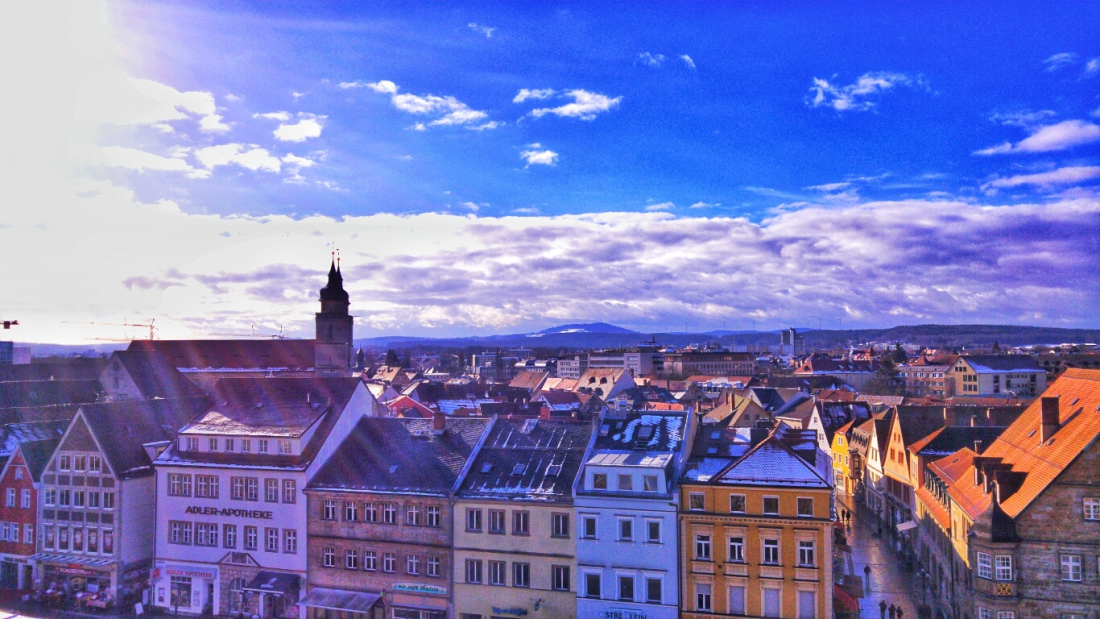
(230, 511)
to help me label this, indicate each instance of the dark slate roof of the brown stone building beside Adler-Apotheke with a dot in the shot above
(402, 456)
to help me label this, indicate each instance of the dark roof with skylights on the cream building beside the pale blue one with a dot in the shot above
(529, 460)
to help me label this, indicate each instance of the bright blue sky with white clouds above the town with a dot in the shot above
(647, 165)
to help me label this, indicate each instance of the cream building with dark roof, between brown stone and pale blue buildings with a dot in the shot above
(515, 545)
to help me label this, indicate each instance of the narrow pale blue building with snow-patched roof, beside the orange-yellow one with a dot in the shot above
(628, 548)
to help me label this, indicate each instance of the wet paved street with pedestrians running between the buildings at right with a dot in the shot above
(890, 581)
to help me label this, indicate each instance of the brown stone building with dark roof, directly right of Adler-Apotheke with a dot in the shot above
(381, 519)
